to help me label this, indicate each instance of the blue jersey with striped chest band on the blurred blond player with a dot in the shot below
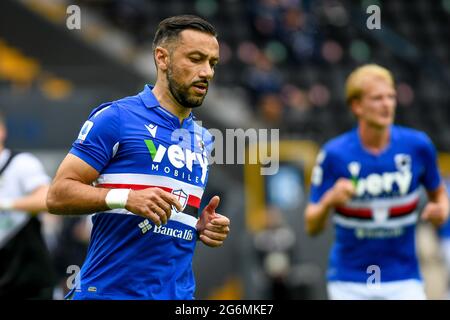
(375, 231)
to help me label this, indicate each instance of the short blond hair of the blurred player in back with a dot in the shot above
(354, 84)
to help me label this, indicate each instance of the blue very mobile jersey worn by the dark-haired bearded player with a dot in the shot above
(134, 143)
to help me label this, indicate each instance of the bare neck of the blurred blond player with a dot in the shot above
(374, 139)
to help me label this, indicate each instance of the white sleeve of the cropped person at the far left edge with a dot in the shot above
(31, 173)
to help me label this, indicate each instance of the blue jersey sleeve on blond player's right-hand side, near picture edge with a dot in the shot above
(431, 178)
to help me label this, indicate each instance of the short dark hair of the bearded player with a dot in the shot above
(170, 28)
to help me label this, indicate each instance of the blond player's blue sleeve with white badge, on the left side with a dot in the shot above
(322, 177)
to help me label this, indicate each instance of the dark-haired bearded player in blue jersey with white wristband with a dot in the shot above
(140, 164)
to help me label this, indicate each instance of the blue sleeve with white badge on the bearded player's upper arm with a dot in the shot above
(98, 137)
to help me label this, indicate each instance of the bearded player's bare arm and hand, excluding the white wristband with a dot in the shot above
(71, 193)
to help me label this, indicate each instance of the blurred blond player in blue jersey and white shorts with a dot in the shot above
(370, 178)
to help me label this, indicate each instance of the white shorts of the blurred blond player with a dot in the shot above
(393, 290)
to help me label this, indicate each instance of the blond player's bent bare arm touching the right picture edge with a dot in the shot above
(437, 209)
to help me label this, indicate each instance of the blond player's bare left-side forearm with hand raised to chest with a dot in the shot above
(316, 214)
